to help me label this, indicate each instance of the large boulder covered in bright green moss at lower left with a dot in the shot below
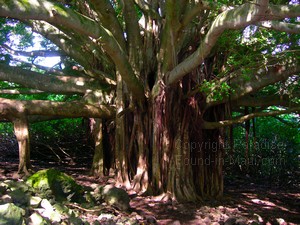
(51, 183)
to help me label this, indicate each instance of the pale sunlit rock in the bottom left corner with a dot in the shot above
(11, 214)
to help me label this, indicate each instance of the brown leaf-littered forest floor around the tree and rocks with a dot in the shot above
(243, 200)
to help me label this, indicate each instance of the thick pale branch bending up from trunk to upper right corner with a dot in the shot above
(239, 17)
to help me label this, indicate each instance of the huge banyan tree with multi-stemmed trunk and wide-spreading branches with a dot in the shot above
(167, 75)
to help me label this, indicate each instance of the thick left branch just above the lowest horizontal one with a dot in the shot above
(49, 83)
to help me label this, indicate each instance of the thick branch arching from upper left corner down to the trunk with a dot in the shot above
(61, 16)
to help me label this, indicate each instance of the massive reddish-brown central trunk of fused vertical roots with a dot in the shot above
(167, 152)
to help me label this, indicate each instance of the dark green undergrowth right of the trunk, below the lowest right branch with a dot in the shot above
(273, 153)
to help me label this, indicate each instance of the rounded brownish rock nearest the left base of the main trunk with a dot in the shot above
(116, 197)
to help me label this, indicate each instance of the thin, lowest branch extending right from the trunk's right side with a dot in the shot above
(242, 119)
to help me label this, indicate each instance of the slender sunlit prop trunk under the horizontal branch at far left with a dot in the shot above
(22, 134)
